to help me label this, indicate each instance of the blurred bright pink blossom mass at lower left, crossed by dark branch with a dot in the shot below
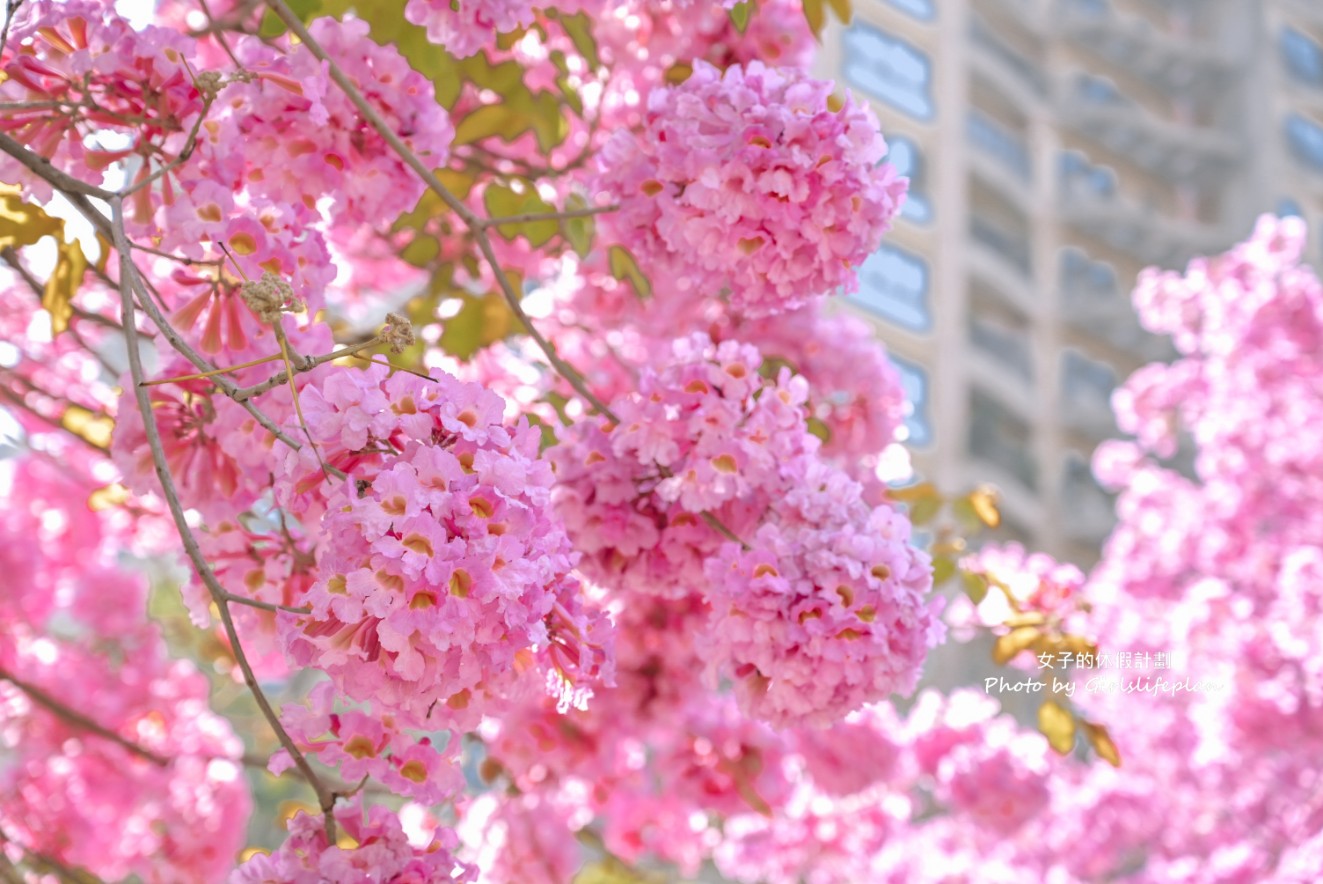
(159, 792)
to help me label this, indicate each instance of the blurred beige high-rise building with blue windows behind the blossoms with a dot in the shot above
(1055, 149)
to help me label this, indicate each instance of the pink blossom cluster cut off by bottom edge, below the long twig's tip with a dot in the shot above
(378, 852)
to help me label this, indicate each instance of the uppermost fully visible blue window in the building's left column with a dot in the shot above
(890, 69)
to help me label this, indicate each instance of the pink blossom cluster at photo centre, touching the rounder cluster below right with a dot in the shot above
(707, 432)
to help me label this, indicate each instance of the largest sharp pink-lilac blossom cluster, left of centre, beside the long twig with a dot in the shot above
(441, 572)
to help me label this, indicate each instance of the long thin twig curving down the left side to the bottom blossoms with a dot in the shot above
(128, 273)
